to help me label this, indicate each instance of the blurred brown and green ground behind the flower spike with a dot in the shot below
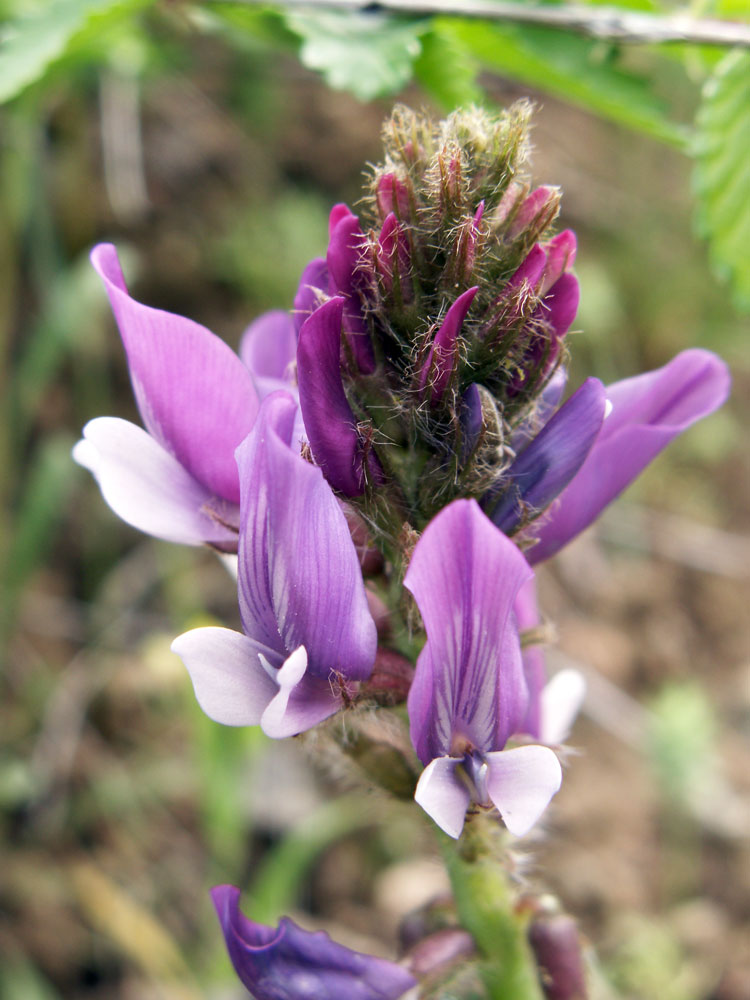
(212, 163)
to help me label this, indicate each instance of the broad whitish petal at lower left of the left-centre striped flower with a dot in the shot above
(230, 682)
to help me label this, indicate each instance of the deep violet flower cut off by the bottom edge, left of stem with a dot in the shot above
(288, 963)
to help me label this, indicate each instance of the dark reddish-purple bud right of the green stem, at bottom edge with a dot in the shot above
(557, 948)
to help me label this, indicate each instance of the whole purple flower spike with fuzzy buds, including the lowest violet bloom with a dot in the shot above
(395, 447)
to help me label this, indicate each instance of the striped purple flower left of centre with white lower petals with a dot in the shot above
(308, 634)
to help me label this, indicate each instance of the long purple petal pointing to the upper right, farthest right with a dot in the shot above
(649, 410)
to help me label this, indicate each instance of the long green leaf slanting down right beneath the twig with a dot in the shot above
(573, 68)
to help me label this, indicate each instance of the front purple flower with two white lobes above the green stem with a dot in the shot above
(469, 693)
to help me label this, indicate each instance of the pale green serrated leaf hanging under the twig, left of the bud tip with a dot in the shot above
(367, 54)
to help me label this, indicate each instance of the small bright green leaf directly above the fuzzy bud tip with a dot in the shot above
(447, 70)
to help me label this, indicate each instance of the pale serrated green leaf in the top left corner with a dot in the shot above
(34, 41)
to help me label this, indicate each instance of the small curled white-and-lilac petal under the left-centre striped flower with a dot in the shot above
(301, 701)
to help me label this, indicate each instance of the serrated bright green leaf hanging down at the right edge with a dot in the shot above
(722, 172)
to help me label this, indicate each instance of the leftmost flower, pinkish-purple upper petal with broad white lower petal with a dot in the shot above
(197, 401)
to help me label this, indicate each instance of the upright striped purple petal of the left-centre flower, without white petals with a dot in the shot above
(300, 582)
